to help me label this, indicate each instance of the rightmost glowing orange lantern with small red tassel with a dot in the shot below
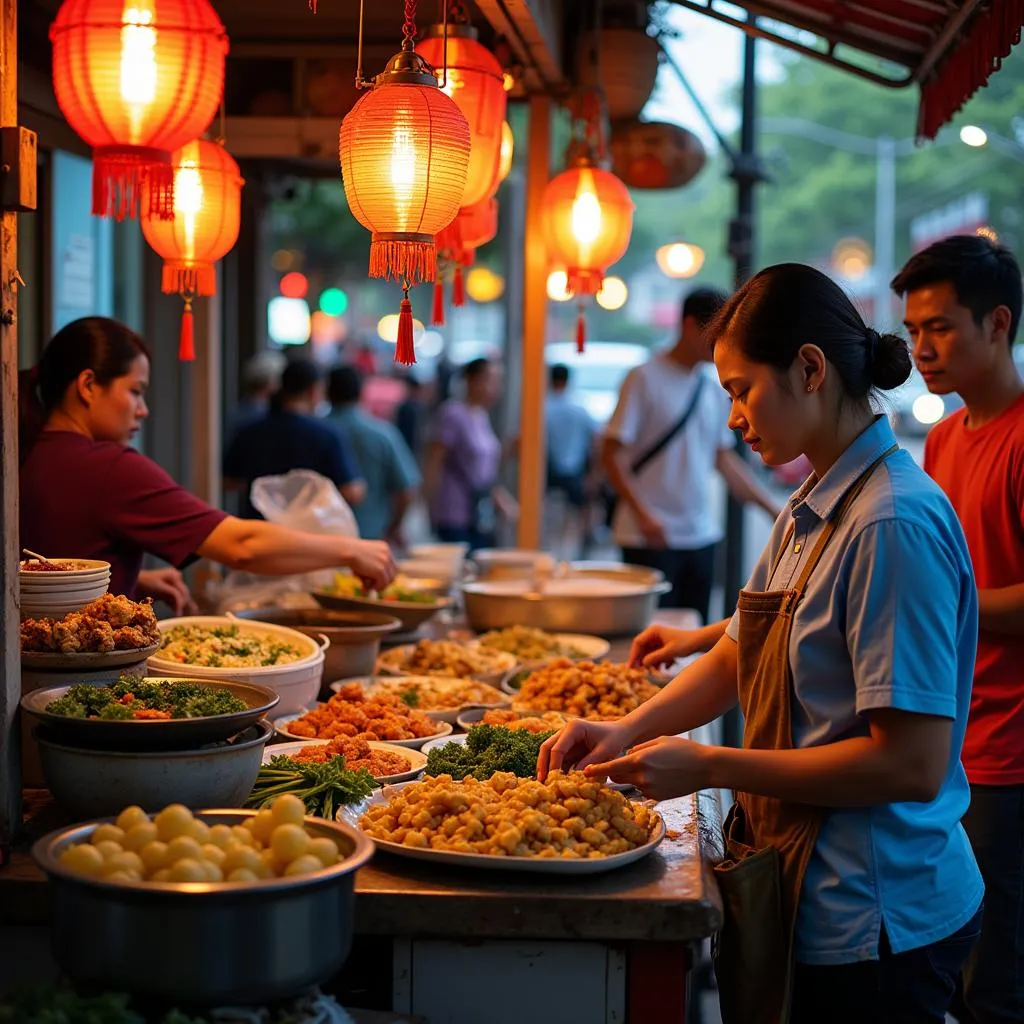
(588, 219)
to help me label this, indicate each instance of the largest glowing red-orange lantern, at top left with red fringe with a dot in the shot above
(138, 79)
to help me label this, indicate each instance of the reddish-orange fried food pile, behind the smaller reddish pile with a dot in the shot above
(352, 713)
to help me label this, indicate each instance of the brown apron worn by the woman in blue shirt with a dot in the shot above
(769, 841)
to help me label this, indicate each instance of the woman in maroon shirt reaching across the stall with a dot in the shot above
(86, 494)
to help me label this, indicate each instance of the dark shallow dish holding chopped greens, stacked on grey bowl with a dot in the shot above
(152, 735)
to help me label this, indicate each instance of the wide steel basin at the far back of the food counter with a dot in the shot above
(625, 608)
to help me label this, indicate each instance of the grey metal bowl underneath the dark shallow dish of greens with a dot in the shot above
(93, 784)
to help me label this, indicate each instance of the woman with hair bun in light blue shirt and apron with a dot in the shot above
(850, 890)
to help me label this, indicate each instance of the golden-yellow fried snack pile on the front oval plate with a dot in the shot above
(568, 817)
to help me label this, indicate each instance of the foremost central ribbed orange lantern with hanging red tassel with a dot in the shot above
(405, 155)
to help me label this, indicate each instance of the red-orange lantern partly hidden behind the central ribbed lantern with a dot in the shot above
(475, 80)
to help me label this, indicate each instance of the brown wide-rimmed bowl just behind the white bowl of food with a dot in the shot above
(356, 636)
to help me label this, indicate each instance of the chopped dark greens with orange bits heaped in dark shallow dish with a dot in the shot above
(130, 696)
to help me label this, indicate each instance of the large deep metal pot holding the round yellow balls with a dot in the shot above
(208, 945)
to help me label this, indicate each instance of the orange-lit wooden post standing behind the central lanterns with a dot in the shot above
(533, 456)
